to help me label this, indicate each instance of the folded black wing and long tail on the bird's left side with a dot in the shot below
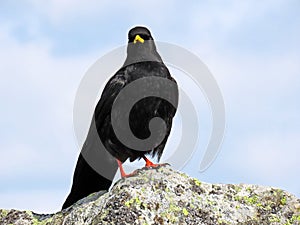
(86, 180)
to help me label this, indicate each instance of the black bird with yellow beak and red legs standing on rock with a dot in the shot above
(143, 61)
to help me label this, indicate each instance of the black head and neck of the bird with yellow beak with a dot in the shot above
(141, 46)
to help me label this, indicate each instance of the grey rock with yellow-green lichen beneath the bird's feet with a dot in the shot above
(164, 196)
